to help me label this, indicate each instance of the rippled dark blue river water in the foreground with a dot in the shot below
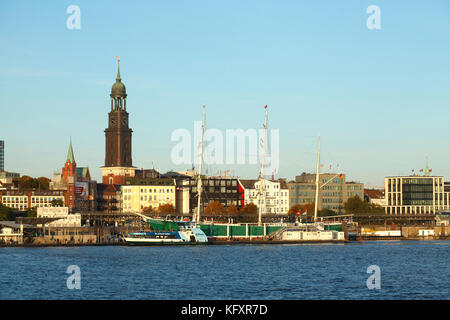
(409, 270)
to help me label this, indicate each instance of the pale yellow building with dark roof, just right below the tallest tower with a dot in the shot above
(138, 194)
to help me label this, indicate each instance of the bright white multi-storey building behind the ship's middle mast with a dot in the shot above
(275, 200)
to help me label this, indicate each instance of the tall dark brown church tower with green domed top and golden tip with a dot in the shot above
(118, 162)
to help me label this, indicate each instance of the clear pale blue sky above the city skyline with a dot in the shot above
(380, 99)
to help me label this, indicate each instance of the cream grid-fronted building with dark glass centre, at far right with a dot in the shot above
(416, 195)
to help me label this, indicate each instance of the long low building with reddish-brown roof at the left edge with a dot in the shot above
(23, 200)
